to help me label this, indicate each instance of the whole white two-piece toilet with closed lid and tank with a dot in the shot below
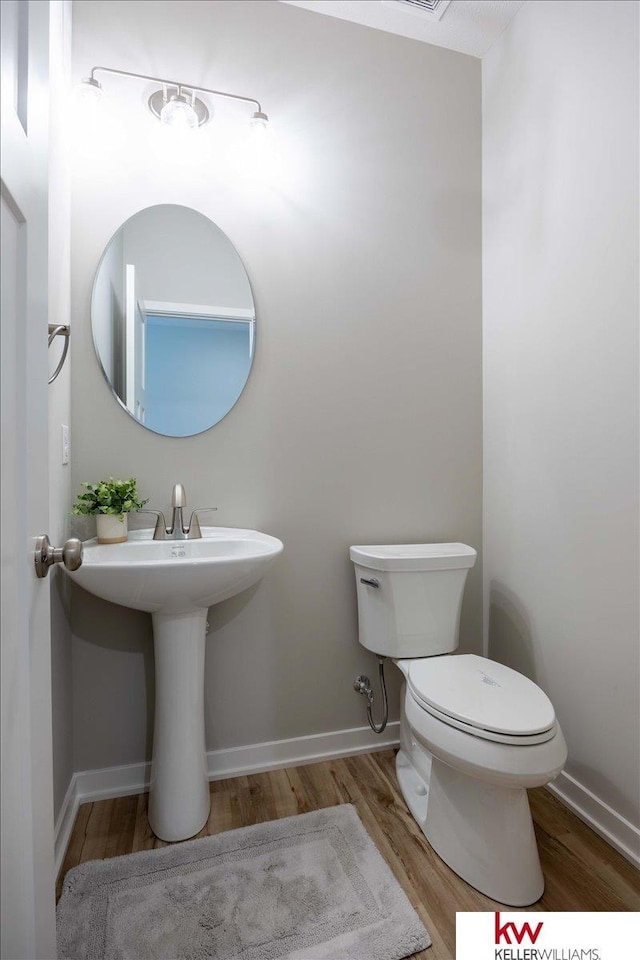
(474, 734)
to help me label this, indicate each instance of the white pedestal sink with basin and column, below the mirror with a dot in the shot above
(177, 581)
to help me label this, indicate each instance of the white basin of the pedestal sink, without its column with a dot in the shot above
(175, 576)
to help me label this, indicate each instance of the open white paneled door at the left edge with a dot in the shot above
(27, 880)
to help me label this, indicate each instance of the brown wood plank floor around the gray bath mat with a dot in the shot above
(582, 871)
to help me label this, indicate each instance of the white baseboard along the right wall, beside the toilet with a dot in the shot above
(597, 814)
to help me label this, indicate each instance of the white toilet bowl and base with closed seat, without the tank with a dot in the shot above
(465, 780)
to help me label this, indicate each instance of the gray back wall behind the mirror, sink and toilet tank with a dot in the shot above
(361, 421)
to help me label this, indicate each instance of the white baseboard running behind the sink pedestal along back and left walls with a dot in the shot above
(88, 785)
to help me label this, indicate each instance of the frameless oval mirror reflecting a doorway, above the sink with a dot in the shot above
(173, 320)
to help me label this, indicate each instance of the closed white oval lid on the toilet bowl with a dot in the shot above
(481, 694)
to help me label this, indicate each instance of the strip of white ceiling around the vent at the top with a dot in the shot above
(468, 26)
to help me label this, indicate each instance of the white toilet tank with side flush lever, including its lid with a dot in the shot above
(414, 611)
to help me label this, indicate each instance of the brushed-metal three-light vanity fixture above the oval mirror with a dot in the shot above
(174, 103)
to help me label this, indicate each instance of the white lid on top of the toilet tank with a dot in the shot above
(414, 556)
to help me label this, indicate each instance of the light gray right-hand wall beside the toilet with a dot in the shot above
(560, 248)
